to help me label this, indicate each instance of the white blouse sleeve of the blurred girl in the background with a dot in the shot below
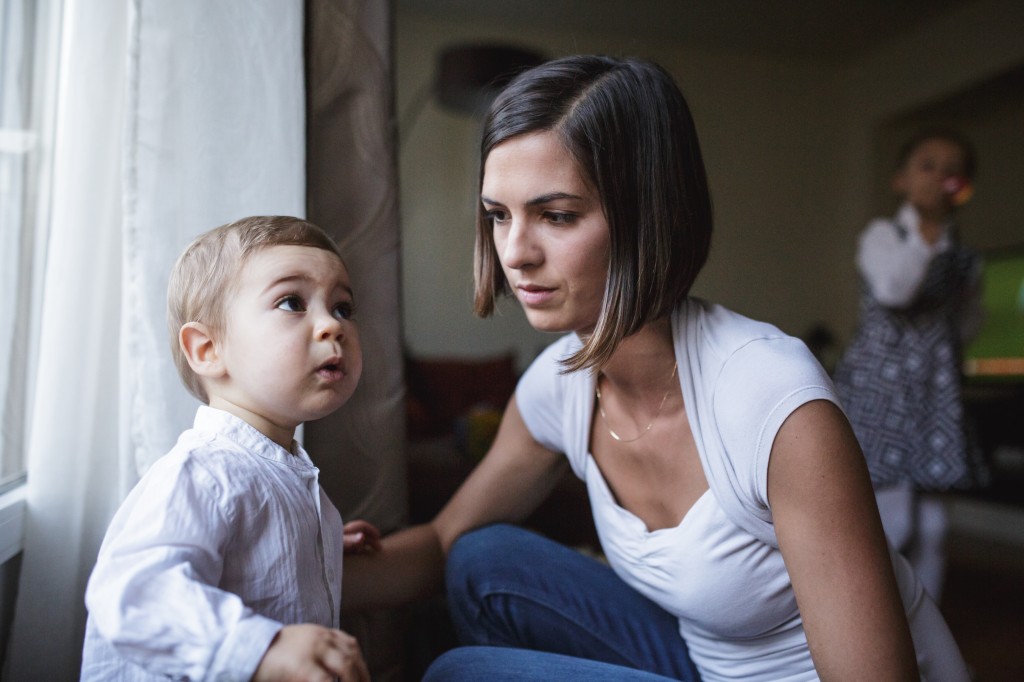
(893, 263)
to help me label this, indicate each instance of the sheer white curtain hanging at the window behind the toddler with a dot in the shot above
(175, 117)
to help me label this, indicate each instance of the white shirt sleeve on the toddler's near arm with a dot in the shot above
(153, 594)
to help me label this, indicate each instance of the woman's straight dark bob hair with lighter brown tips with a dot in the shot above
(627, 126)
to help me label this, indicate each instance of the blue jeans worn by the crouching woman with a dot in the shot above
(508, 587)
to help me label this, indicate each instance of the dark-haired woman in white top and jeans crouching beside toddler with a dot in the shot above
(730, 495)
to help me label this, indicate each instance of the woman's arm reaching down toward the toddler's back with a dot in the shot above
(510, 483)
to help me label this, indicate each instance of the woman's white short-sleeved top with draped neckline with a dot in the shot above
(719, 572)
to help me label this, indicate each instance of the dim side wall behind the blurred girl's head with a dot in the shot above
(965, 68)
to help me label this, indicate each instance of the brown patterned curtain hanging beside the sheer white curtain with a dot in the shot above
(353, 193)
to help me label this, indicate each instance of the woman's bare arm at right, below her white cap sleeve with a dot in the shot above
(831, 536)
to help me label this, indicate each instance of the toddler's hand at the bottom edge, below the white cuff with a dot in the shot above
(313, 654)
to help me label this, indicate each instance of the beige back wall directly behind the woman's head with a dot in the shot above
(769, 133)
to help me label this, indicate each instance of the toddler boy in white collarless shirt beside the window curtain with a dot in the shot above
(225, 562)
